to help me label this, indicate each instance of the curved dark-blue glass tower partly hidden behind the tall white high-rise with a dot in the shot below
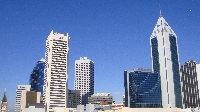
(37, 77)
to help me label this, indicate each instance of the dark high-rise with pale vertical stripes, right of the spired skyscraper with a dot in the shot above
(190, 73)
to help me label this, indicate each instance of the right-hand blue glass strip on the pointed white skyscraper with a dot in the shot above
(175, 69)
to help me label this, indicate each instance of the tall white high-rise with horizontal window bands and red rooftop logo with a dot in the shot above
(56, 71)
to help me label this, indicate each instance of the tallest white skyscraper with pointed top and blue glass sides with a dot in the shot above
(165, 61)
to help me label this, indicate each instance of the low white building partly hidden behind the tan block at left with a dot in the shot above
(19, 90)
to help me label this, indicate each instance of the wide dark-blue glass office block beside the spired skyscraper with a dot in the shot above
(142, 89)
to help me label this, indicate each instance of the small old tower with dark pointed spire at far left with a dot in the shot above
(4, 104)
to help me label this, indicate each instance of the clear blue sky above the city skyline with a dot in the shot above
(115, 34)
